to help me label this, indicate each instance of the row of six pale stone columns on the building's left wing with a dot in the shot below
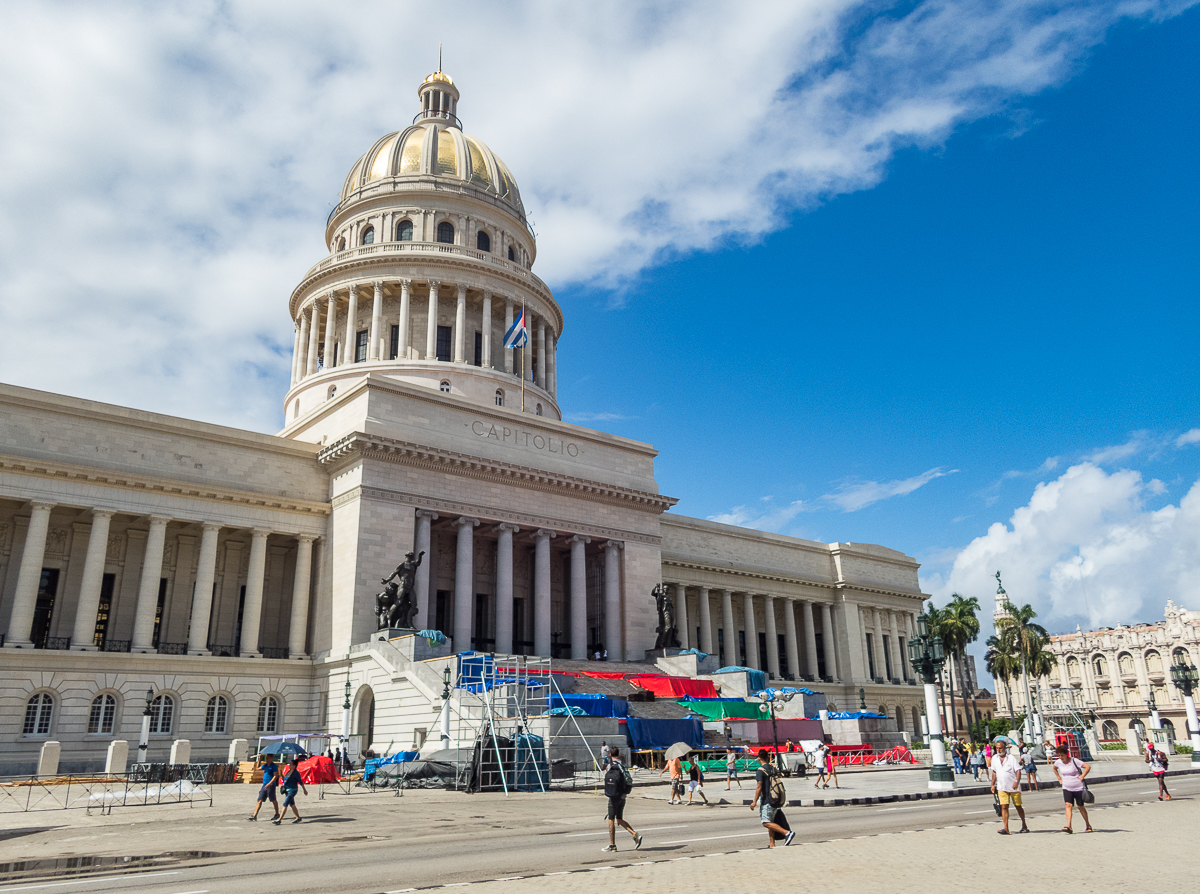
(31, 572)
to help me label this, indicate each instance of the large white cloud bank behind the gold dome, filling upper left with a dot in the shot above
(167, 167)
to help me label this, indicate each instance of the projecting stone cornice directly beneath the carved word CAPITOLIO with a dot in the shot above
(404, 453)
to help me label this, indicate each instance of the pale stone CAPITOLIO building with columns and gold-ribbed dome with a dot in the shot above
(227, 579)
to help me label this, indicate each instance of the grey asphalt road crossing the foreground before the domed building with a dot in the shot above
(531, 838)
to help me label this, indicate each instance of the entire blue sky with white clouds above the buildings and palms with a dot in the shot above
(919, 274)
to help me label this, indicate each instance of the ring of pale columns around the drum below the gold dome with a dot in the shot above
(323, 311)
